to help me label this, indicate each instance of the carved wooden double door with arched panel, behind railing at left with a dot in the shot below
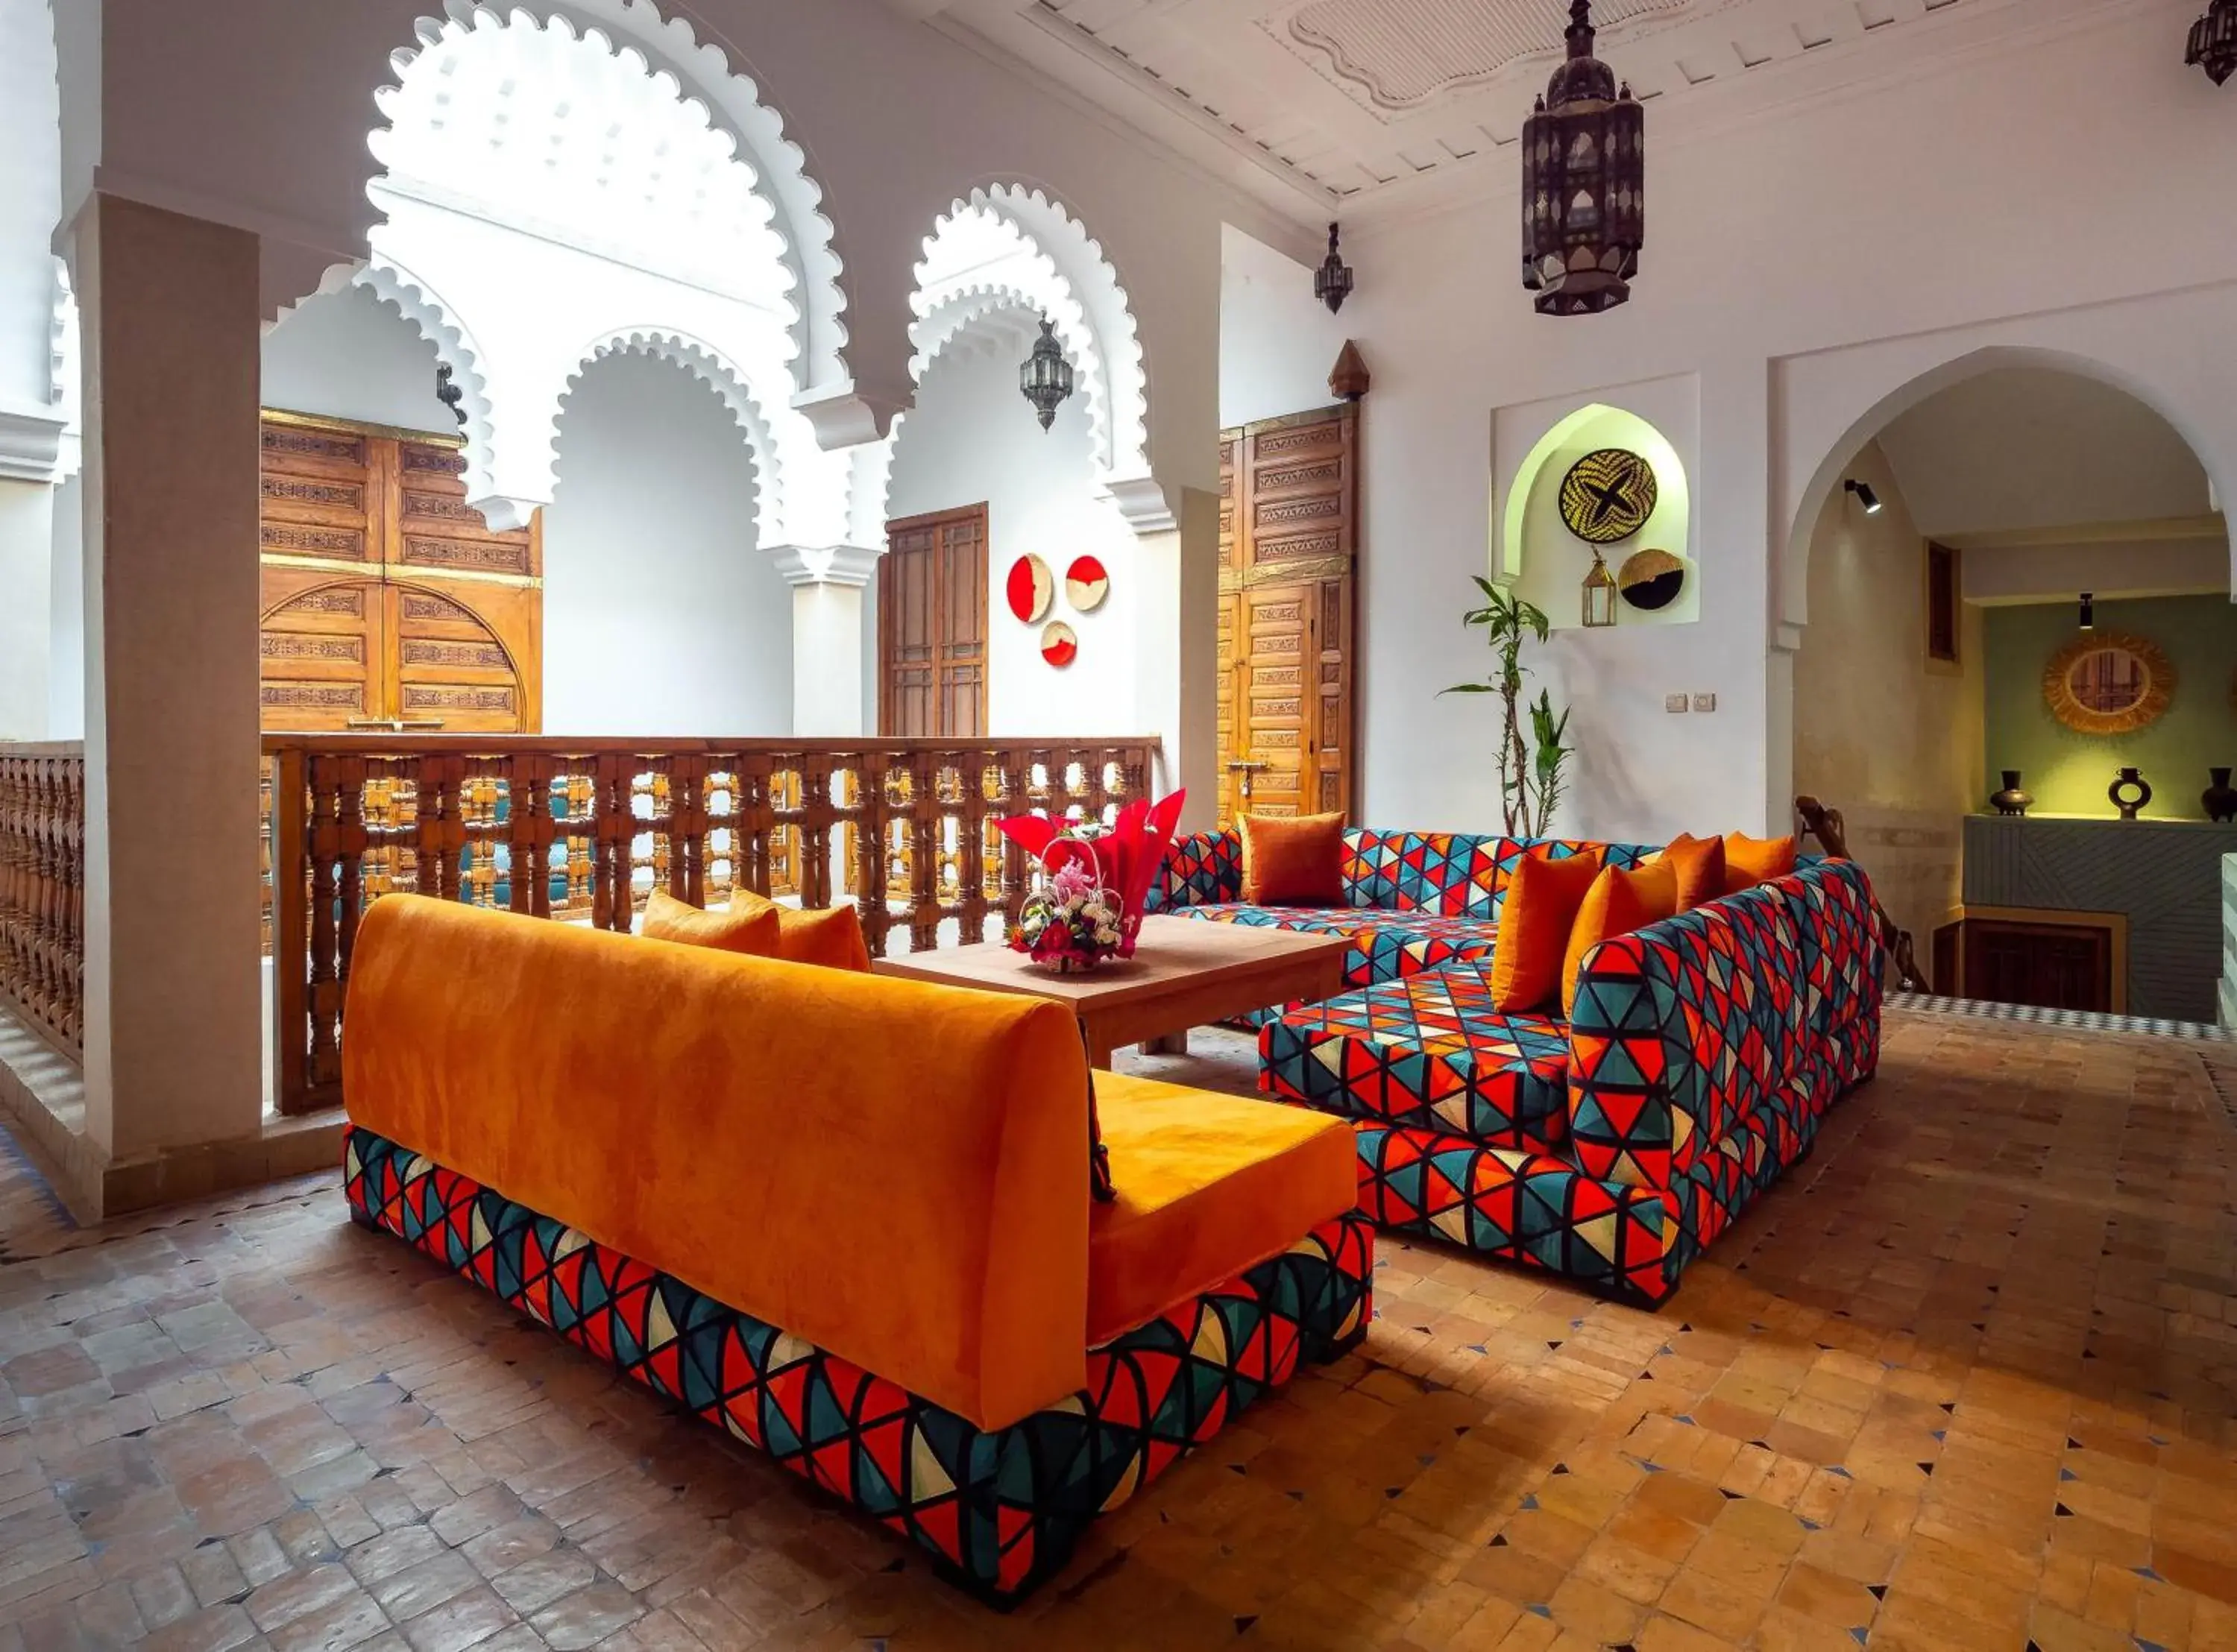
(388, 600)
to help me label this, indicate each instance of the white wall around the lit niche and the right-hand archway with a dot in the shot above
(1802, 272)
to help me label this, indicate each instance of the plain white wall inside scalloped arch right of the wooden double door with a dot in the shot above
(661, 616)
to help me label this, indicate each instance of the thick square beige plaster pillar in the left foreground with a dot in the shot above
(173, 1014)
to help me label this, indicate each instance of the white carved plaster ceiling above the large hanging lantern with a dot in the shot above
(1379, 106)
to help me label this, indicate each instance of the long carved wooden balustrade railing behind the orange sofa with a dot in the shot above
(587, 828)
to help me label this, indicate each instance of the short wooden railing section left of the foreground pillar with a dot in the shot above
(44, 886)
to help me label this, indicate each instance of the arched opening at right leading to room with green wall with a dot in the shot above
(2017, 591)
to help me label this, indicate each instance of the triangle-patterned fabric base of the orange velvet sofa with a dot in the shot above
(997, 1510)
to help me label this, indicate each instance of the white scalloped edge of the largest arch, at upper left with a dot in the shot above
(730, 102)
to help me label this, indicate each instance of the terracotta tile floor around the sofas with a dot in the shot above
(1965, 1380)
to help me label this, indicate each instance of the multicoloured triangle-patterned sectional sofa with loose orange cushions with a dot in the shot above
(1614, 1150)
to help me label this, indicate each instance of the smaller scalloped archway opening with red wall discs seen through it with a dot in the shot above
(1057, 511)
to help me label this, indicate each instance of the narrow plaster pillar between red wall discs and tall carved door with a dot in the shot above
(1176, 678)
